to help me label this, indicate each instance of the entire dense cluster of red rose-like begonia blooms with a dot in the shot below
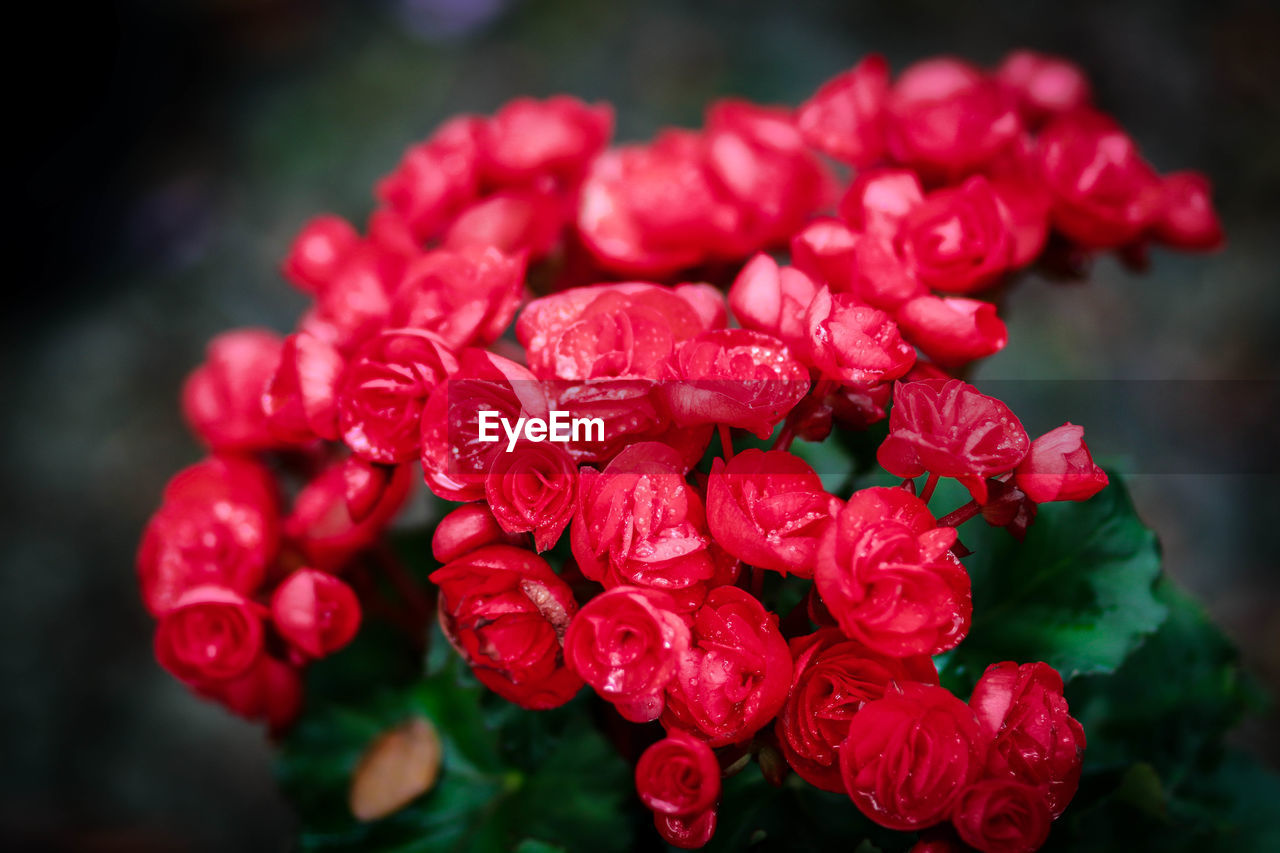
(652, 595)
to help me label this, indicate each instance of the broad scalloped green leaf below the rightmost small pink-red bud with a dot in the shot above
(1076, 595)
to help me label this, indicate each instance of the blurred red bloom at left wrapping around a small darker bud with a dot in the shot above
(322, 524)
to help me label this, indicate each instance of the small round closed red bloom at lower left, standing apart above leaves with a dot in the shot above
(316, 613)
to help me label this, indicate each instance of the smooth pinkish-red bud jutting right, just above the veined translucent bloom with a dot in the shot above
(953, 331)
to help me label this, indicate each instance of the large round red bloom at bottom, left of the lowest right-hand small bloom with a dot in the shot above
(909, 755)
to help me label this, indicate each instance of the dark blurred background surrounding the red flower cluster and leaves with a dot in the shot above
(170, 150)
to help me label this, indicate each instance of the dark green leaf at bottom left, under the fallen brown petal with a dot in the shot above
(509, 777)
